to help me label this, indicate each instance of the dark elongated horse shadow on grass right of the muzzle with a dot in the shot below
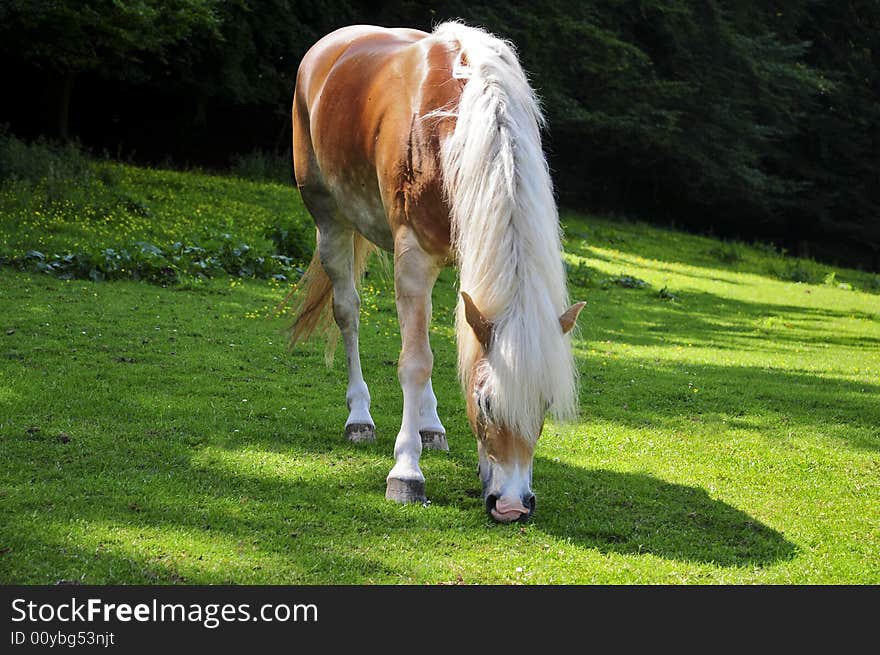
(633, 513)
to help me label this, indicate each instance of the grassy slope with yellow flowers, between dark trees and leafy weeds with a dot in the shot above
(138, 204)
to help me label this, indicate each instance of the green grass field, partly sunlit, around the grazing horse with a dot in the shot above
(729, 428)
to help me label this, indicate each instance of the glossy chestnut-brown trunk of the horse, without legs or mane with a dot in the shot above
(371, 108)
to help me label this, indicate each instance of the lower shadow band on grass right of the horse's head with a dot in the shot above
(642, 393)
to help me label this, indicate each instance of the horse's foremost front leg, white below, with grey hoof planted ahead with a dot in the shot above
(414, 274)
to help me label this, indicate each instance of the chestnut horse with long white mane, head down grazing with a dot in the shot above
(429, 146)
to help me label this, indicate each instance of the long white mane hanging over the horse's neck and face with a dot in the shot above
(506, 236)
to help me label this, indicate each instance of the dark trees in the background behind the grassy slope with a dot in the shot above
(758, 120)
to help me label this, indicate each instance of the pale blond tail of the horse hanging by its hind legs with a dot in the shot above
(311, 301)
